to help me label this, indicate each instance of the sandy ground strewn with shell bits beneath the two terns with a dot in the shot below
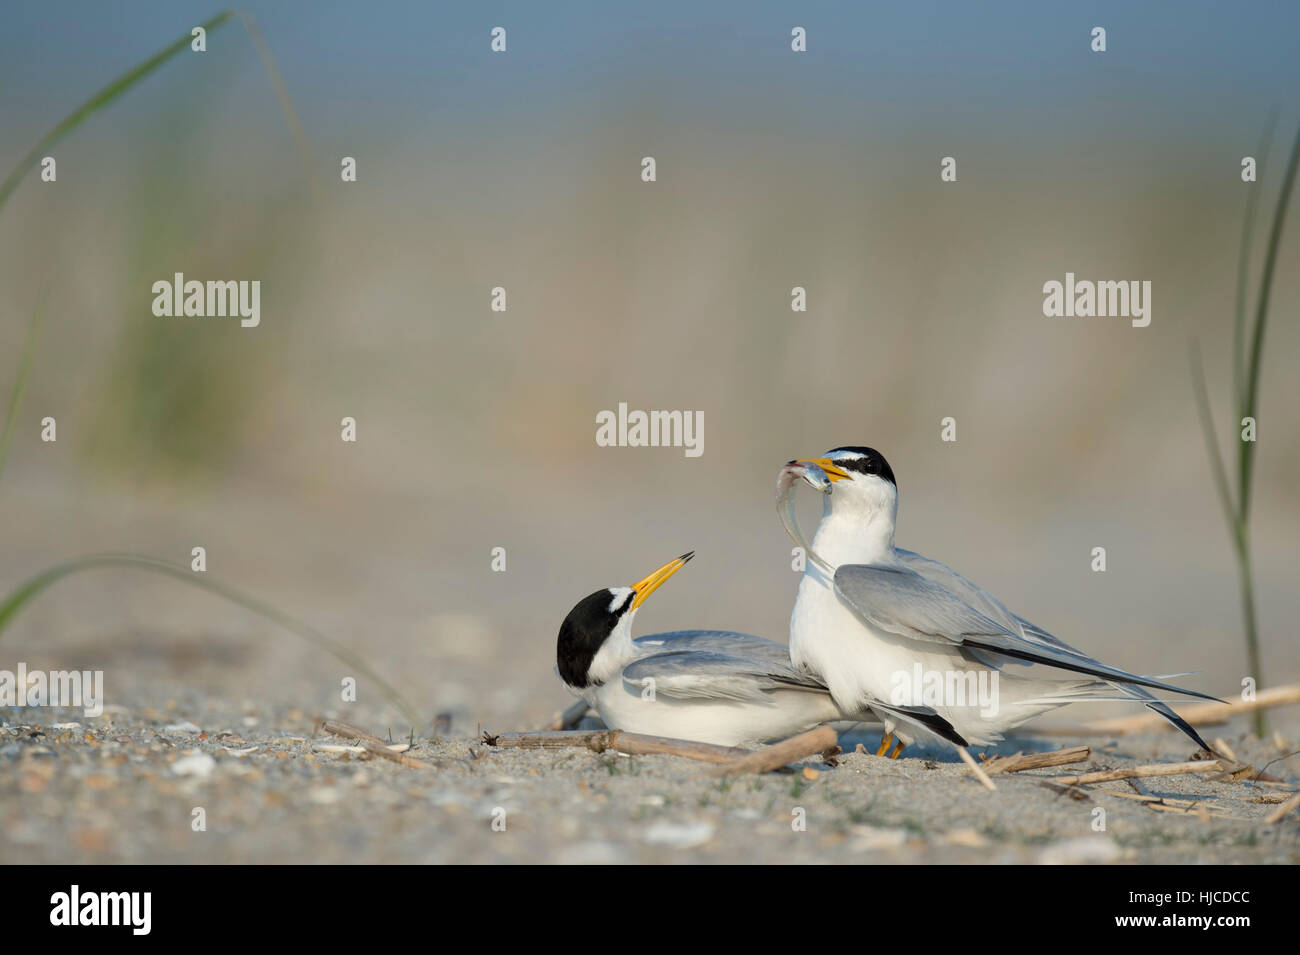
(124, 788)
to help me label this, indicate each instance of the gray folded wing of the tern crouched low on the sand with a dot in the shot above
(718, 666)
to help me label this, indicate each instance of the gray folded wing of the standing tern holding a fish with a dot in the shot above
(899, 600)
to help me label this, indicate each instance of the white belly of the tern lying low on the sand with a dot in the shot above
(725, 723)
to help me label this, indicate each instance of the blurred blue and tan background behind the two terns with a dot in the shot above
(476, 428)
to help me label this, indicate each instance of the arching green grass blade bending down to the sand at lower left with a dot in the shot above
(34, 587)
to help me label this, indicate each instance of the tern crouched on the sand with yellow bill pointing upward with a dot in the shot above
(712, 687)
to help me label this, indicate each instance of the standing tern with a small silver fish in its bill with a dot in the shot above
(869, 615)
